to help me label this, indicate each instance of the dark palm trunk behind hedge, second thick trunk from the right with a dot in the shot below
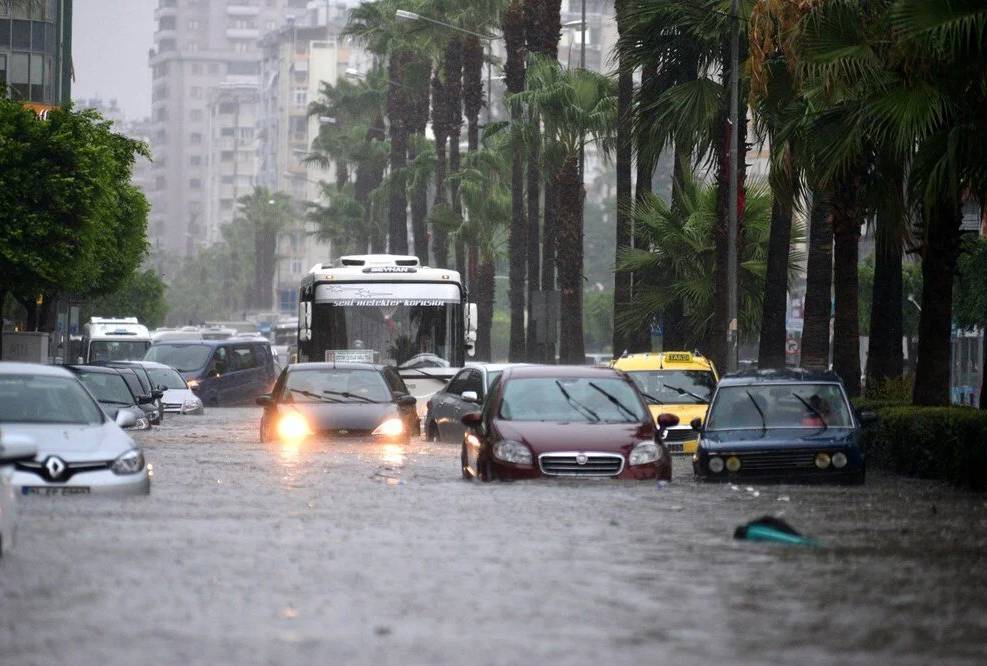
(885, 357)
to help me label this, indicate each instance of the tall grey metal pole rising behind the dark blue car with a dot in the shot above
(733, 332)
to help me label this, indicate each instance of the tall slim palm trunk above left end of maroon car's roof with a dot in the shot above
(513, 30)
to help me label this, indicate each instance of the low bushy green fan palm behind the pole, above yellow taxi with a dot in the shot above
(683, 251)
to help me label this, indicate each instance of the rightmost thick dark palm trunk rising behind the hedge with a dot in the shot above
(941, 248)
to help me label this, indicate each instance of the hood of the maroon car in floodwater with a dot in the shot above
(551, 436)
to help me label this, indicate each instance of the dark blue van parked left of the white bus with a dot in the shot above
(220, 372)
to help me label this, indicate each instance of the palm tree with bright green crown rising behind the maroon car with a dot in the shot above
(581, 108)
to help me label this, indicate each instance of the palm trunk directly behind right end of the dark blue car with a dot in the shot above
(847, 218)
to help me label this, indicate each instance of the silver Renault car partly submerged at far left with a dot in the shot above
(80, 450)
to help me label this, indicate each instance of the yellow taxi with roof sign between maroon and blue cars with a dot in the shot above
(680, 383)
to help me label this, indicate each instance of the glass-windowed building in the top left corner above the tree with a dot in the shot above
(36, 51)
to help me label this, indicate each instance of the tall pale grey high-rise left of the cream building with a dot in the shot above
(200, 46)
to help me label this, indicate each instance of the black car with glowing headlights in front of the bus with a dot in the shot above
(339, 400)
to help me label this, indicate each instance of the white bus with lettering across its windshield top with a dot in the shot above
(391, 310)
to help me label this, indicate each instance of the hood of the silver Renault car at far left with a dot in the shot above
(74, 443)
